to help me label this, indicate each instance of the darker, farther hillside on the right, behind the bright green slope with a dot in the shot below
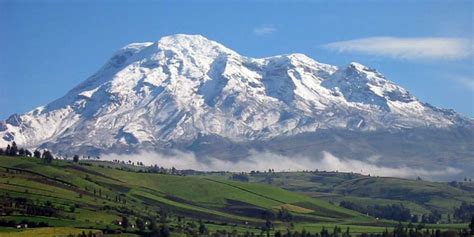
(421, 197)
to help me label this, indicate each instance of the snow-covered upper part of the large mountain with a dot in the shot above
(184, 87)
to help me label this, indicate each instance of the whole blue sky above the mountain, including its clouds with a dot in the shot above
(47, 47)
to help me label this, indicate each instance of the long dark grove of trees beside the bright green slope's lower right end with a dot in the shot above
(392, 212)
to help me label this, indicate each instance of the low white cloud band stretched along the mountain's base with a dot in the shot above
(266, 160)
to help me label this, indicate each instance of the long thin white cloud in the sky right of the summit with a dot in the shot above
(407, 48)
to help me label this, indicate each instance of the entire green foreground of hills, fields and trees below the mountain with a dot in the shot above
(113, 197)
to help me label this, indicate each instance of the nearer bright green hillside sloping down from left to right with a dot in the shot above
(94, 195)
